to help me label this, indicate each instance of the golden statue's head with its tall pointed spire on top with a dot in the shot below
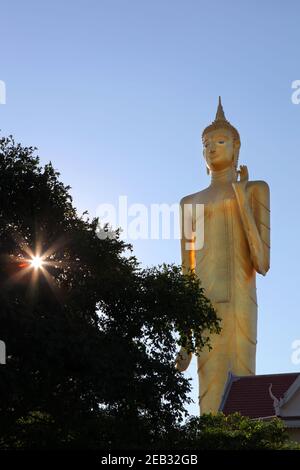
(221, 143)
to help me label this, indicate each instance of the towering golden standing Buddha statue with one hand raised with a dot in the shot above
(236, 246)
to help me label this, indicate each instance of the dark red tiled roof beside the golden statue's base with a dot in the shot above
(250, 394)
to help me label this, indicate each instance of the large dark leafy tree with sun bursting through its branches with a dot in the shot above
(91, 337)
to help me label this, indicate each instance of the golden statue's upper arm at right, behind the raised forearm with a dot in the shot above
(254, 205)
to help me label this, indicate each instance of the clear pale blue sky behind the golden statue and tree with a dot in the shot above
(116, 94)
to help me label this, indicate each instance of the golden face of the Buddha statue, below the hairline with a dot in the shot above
(219, 149)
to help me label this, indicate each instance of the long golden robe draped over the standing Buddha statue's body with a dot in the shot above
(227, 272)
